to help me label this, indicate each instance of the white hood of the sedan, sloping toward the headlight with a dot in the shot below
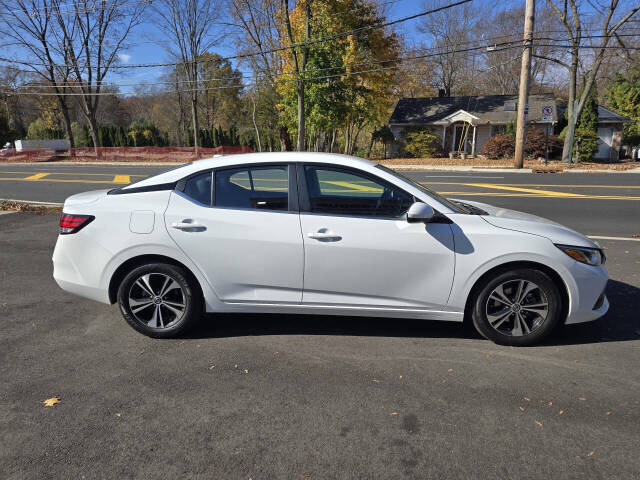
(532, 224)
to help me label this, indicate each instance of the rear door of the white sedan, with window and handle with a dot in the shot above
(241, 227)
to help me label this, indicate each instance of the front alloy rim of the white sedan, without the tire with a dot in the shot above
(517, 307)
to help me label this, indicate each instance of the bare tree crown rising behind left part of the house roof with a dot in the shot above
(450, 31)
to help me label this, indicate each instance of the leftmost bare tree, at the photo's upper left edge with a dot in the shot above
(31, 26)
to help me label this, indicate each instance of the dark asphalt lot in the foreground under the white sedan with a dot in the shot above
(291, 397)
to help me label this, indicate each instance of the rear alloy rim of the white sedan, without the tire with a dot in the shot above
(157, 300)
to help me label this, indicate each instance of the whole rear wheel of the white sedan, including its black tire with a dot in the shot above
(167, 323)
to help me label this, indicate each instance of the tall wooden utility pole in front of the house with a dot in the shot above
(525, 73)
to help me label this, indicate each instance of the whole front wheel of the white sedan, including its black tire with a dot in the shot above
(508, 283)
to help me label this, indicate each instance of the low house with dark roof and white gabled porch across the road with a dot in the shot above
(465, 123)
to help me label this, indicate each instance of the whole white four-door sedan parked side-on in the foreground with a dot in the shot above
(321, 234)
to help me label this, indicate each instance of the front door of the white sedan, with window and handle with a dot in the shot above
(360, 249)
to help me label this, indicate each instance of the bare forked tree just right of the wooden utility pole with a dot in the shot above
(572, 19)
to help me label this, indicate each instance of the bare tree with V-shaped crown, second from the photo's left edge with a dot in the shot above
(93, 32)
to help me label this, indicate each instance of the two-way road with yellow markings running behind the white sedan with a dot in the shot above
(594, 204)
